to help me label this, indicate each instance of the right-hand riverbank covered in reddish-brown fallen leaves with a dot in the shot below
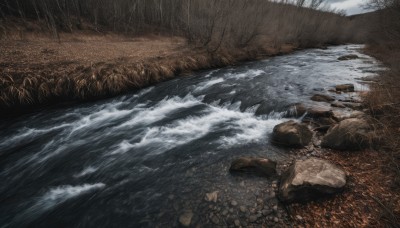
(371, 198)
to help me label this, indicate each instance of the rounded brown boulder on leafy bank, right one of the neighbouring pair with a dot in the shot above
(349, 134)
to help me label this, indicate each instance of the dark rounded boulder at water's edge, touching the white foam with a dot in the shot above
(292, 134)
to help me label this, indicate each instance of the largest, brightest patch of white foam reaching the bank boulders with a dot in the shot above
(249, 128)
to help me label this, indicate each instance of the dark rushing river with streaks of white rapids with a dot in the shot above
(143, 159)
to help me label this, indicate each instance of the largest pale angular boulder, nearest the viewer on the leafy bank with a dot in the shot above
(310, 179)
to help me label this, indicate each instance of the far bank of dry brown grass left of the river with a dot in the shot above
(38, 71)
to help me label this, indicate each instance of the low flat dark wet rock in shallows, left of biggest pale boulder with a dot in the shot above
(260, 166)
